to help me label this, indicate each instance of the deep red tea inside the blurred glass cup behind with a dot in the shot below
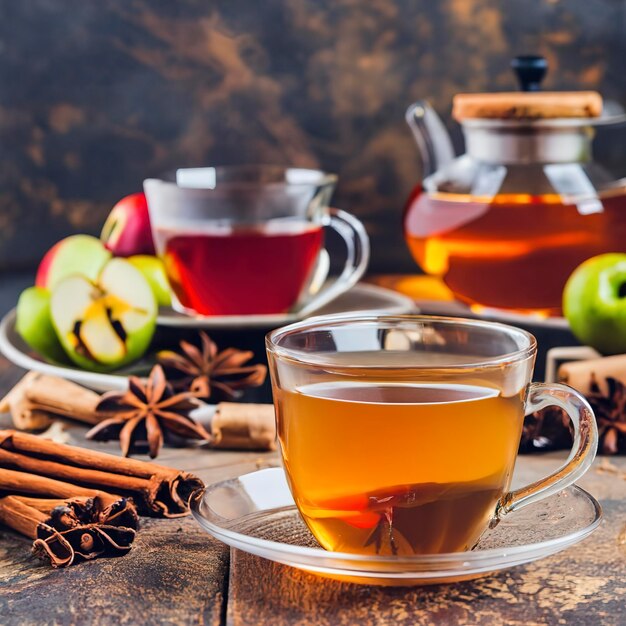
(240, 270)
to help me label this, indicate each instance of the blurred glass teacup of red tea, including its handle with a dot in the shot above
(249, 240)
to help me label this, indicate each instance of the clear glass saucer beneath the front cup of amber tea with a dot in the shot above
(256, 513)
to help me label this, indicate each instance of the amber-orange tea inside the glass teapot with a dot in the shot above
(514, 251)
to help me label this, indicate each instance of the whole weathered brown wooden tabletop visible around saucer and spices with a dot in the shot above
(177, 574)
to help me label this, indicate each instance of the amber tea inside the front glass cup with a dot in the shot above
(398, 468)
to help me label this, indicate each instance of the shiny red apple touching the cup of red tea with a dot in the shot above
(127, 229)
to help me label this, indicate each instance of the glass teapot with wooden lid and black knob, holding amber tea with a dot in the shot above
(505, 224)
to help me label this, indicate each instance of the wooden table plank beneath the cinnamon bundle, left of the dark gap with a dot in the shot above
(175, 574)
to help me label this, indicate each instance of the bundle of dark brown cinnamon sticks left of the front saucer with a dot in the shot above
(78, 504)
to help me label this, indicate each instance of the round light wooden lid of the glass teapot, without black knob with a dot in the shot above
(527, 105)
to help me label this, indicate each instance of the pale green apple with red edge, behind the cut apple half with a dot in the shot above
(78, 254)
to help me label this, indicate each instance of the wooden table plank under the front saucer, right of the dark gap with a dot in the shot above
(581, 584)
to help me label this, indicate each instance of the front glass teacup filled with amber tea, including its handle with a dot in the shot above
(399, 435)
